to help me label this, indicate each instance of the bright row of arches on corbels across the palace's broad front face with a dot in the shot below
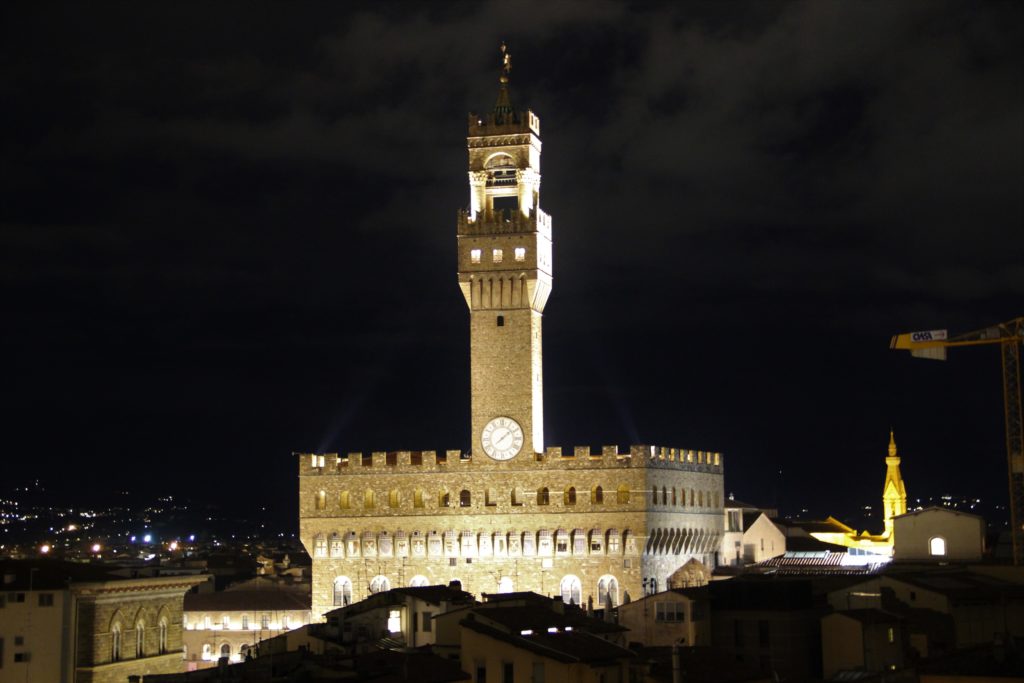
(472, 544)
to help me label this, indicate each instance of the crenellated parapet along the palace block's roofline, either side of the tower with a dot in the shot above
(553, 458)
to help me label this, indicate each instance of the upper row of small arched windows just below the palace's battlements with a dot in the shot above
(666, 496)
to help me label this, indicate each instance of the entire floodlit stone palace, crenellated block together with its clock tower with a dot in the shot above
(510, 516)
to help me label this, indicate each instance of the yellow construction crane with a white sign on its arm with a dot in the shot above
(933, 345)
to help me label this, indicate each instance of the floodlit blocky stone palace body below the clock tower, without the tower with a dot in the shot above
(585, 525)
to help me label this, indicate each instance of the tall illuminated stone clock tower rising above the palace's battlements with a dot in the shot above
(505, 276)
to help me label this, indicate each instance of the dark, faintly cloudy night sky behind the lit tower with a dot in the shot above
(228, 233)
